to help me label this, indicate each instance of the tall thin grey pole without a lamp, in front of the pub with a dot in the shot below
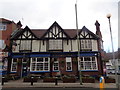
(78, 58)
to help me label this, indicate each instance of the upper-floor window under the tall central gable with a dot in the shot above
(55, 44)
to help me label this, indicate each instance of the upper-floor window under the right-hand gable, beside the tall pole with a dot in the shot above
(86, 45)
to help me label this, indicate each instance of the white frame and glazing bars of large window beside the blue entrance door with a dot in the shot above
(42, 62)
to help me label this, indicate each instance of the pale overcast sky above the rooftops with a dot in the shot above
(40, 14)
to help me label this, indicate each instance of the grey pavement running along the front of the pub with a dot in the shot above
(39, 84)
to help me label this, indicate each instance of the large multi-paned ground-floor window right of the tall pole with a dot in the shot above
(88, 63)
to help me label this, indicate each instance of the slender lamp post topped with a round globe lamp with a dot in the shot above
(115, 64)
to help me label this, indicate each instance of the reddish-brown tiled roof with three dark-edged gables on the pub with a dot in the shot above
(40, 33)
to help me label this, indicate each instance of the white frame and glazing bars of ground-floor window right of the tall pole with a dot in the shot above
(83, 63)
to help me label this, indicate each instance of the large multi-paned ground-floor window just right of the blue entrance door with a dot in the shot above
(40, 64)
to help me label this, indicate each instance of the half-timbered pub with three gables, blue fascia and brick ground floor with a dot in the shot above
(54, 51)
